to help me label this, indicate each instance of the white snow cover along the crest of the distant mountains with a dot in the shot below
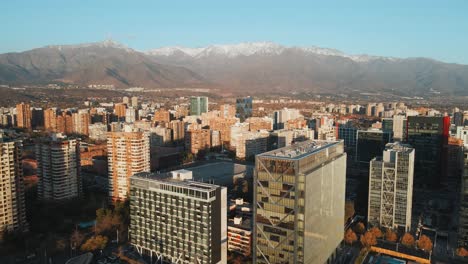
(253, 48)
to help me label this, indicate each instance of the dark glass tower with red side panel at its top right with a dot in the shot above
(428, 135)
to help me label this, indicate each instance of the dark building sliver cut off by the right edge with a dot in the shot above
(463, 211)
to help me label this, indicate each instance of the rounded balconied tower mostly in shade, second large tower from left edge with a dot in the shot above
(58, 168)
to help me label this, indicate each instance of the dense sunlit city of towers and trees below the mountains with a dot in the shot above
(208, 180)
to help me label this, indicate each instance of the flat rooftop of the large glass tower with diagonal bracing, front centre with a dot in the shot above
(300, 150)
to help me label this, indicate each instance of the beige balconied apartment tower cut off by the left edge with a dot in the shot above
(12, 204)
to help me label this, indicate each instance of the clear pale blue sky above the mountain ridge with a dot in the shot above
(410, 28)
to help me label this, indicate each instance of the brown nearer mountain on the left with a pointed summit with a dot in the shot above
(94, 63)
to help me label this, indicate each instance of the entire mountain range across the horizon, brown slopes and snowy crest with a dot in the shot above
(245, 67)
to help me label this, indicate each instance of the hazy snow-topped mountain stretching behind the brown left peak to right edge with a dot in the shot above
(270, 67)
